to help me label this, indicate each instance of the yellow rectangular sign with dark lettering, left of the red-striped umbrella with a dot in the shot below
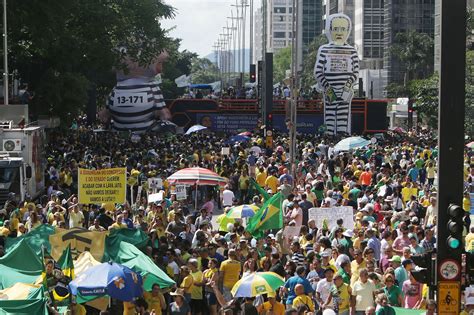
(102, 186)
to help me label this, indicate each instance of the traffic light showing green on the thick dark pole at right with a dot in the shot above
(455, 229)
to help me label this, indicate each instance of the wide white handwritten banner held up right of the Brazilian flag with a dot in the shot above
(331, 215)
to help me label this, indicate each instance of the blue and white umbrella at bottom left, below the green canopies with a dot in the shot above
(114, 280)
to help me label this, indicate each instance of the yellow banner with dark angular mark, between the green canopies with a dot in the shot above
(81, 241)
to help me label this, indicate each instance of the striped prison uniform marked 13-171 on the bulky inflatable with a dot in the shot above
(132, 104)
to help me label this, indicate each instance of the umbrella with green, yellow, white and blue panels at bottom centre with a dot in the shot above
(257, 283)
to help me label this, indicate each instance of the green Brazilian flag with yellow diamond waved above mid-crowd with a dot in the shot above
(268, 217)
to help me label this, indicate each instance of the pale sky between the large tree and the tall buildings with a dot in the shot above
(198, 23)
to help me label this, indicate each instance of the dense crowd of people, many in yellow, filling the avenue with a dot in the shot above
(391, 187)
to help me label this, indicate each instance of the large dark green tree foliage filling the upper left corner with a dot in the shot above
(63, 48)
